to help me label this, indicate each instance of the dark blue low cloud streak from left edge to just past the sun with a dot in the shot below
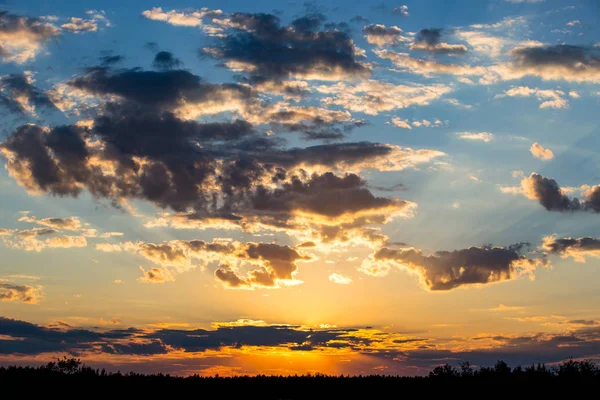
(36, 339)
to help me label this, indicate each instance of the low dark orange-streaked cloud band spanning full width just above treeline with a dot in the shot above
(515, 350)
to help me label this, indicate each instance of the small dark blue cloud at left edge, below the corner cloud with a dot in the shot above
(21, 96)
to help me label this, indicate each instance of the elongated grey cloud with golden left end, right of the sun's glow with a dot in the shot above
(447, 270)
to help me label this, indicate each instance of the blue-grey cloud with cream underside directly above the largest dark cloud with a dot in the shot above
(189, 97)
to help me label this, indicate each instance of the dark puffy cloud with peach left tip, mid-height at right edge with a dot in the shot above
(549, 194)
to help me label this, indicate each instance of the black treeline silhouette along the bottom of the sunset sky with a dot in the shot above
(70, 372)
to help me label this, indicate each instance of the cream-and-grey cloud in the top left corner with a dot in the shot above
(21, 38)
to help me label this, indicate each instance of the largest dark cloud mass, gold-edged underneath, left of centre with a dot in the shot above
(176, 163)
